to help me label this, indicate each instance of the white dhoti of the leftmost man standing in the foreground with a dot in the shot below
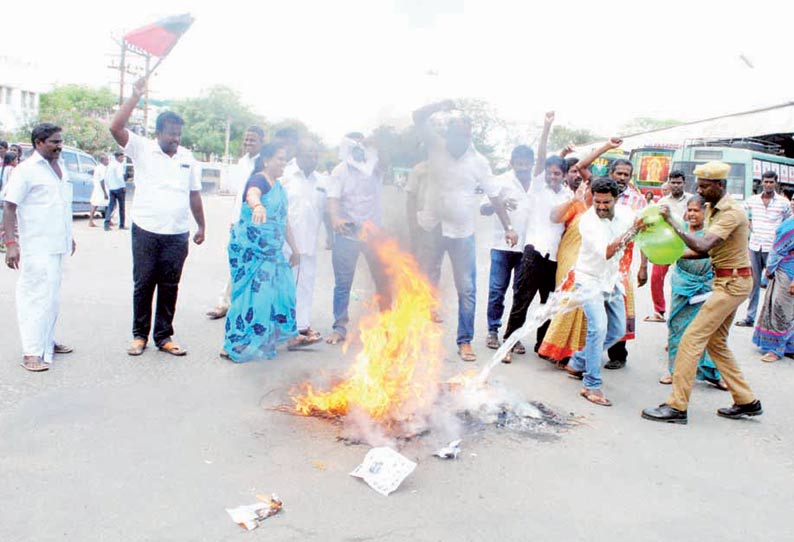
(38, 296)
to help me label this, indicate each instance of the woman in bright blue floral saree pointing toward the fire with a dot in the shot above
(262, 310)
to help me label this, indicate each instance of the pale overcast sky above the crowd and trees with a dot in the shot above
(351, 64)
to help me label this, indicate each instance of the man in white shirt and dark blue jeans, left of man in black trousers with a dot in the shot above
(505, 260)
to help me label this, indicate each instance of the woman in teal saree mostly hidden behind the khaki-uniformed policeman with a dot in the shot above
(691, 284)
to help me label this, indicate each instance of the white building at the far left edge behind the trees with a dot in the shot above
(21, 85)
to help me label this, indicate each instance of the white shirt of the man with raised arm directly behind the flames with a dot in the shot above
(450, 197)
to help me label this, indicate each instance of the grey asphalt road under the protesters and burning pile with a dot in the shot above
(108, 447)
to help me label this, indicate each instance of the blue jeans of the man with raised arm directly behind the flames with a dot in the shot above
(462, 255)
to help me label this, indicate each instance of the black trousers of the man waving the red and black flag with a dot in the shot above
(157, 262)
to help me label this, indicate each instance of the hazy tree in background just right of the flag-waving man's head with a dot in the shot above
(208, 117)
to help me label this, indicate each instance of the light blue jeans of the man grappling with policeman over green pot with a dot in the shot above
(606, 325)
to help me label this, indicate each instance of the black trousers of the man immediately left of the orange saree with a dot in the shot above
(536, 275)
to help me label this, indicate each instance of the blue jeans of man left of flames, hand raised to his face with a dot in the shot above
(344, 258)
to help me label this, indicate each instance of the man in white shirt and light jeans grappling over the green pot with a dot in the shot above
(606, 231)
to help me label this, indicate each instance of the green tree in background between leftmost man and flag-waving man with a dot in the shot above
(84, 114)
